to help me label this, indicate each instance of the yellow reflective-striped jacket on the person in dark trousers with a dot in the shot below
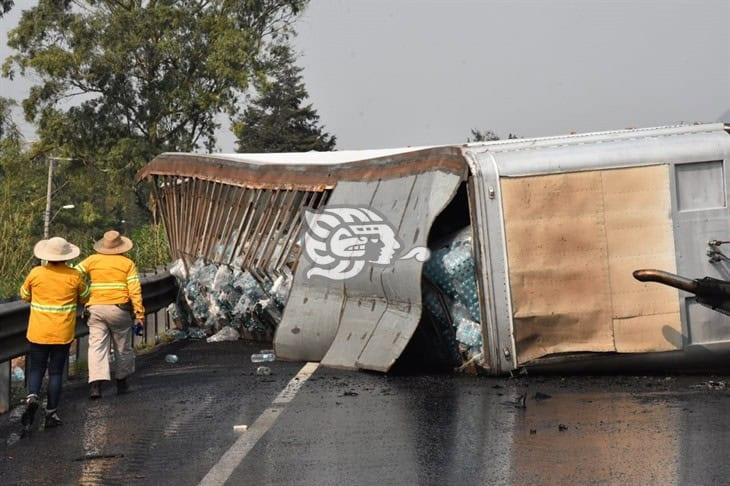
(54, 291)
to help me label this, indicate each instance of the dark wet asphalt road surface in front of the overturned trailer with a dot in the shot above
(362, 428)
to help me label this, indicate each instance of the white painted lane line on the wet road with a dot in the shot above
(223, 469)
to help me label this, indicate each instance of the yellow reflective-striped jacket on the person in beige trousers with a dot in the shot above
(114, 280)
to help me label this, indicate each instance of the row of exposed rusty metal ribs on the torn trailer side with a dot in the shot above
(250, 228)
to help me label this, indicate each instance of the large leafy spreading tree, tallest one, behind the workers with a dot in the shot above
(123, 80)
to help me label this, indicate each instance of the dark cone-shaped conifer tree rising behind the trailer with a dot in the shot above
(277, 118)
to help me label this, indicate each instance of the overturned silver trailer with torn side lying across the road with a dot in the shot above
(558, 225)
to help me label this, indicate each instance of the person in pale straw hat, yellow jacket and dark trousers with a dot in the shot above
(54, 291)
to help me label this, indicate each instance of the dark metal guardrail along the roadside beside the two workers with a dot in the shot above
(158, 291)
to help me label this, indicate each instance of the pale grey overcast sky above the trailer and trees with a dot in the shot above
(387, 73)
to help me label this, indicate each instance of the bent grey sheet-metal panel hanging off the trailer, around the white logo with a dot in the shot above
(366, 321)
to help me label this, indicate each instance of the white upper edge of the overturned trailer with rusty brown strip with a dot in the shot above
(323, 169)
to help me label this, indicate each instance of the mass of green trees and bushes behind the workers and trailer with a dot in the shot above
(117, 83)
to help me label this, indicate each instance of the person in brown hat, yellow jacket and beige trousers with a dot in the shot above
(114, 306)
